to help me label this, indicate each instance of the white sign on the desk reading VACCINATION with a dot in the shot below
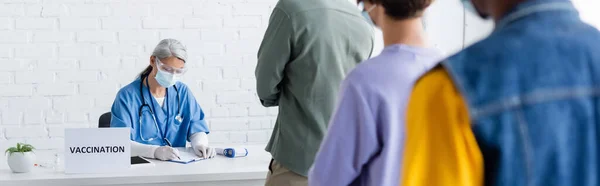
(97, 150)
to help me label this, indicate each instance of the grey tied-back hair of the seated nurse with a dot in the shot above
(167, 48)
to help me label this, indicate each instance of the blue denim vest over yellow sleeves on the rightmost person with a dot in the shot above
(532, 89)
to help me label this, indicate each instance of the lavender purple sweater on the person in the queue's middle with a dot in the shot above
(366, 133)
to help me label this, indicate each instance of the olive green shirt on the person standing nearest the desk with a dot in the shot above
(307, 50)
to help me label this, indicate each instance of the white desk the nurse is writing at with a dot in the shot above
(247, 171)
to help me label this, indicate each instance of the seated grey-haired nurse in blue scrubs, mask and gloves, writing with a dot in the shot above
(160, 110)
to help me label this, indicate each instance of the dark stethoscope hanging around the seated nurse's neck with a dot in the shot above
(144, 104)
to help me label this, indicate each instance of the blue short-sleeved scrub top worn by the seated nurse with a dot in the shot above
(125, 113)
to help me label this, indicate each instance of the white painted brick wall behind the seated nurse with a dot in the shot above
(64, 60)
